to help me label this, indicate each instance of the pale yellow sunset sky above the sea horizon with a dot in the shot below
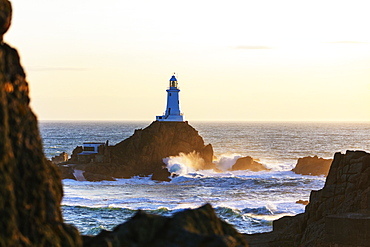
(235, 60)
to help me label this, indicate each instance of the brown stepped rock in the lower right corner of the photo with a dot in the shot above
(337, 215)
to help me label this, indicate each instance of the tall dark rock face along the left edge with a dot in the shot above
(30, 188)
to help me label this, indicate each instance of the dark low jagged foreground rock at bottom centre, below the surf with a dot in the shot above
(197, 227)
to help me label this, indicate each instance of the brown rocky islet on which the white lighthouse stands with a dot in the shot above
(142, 154)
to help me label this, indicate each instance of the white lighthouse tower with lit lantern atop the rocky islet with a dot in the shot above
(172, 113)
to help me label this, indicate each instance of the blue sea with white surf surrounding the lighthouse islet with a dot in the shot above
(250, 201)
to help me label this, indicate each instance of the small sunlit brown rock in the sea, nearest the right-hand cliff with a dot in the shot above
(314, 166)
